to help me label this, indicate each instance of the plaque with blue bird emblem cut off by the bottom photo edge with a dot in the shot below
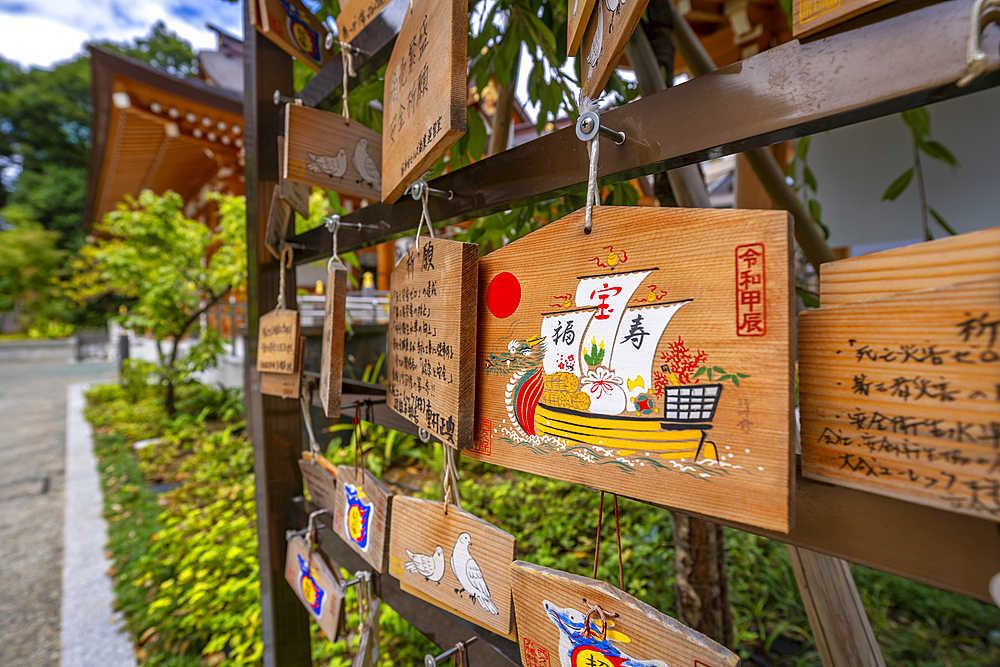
(552, 609)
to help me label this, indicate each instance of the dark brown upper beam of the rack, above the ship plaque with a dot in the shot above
(790, 91)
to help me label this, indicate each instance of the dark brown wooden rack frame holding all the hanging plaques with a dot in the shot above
(903, 56)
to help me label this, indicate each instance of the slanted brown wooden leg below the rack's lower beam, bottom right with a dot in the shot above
(844, 636)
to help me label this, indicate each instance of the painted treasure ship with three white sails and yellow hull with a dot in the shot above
(588, 377)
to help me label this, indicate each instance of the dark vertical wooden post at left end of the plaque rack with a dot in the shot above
(273, 423)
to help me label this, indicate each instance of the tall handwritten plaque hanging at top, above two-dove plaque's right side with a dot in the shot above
(425, 92)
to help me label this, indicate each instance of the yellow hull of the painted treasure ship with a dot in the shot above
(626, 435)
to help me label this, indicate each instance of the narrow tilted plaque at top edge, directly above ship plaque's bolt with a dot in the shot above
(604, 41)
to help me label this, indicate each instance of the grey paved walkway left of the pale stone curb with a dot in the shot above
(32, 479)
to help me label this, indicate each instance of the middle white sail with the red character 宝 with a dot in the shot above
(609, 294)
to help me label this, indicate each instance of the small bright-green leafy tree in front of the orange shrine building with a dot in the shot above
(174, 270)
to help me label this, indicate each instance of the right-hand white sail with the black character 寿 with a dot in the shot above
(636, 343)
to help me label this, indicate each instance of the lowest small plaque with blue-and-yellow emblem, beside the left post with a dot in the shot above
(318, 585)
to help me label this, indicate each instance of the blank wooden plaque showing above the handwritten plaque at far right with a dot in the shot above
(946, 261)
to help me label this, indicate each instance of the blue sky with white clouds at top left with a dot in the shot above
(43, 33)
